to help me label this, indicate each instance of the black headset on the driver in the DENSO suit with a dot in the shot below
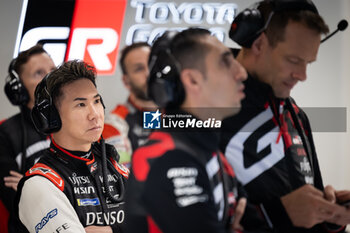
(44, 113)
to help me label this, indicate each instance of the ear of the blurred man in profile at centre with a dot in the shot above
(192, 80)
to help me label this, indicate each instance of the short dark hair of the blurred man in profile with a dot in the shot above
(189, 50)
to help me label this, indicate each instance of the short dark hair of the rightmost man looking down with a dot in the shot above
(275, 31)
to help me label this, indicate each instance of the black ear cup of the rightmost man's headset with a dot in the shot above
(246, 27)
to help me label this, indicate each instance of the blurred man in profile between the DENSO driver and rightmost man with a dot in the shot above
(179, 180)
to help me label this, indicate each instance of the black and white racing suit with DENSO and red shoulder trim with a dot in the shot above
(64, 192)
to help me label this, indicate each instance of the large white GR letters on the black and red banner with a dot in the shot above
(94, 43)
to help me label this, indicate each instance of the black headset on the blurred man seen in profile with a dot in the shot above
(164, 85)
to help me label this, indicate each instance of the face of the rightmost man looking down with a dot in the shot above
(285, 65)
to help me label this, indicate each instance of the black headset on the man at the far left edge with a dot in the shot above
(14, 88)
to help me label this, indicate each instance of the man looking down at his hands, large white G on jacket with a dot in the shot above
(269, 143)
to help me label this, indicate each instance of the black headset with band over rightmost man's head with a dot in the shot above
(249, 24)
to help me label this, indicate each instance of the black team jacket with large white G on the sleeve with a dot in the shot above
(268, 155)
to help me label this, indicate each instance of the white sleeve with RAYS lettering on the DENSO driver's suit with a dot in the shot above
(42, 206)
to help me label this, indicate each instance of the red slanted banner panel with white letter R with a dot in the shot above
(95, 33)
